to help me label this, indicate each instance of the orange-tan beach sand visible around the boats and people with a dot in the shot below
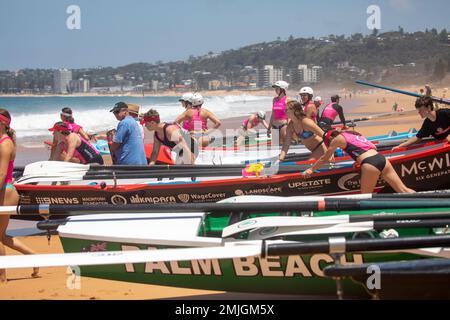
(52, 284)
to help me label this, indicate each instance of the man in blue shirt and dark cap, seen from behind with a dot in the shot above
(127, 145)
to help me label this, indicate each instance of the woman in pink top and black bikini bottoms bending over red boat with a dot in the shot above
(365, 154)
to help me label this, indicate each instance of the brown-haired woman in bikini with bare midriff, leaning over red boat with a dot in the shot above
(305, 128)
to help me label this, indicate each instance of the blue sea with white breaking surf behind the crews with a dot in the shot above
(32, 116)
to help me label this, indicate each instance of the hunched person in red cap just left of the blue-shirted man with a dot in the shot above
(71, 147)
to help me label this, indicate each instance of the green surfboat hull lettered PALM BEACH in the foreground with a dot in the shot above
(298, 275)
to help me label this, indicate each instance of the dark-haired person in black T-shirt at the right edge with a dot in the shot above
(436, 124)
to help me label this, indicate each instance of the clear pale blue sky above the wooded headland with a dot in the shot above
(33, 33)
